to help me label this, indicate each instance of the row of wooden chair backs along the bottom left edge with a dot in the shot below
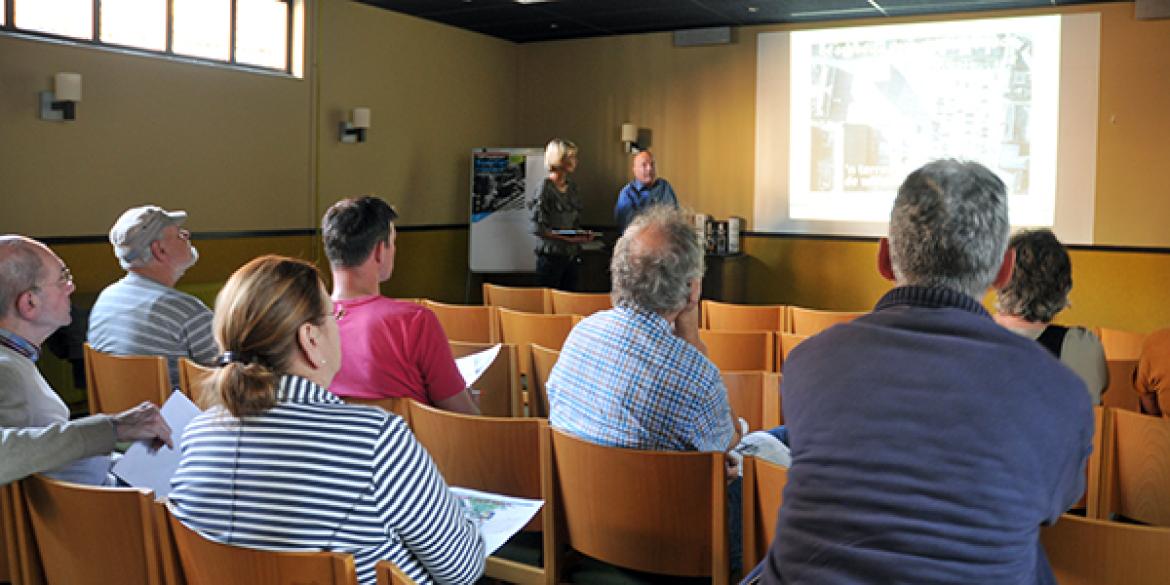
(61, 536)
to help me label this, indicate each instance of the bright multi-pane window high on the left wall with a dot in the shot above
(252, 33)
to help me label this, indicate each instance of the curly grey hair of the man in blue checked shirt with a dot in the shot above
(656, 260)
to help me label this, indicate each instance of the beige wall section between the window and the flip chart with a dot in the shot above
(436, 92)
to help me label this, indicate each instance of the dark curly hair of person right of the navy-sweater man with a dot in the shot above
(1043, 278)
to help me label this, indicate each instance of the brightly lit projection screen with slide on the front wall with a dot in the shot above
(846, 114)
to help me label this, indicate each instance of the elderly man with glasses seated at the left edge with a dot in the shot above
(37, 435)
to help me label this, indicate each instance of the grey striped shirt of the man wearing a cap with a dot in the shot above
(137, 316)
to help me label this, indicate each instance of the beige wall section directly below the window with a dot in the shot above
(230, 147)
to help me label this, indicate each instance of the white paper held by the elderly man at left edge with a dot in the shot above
(142, 469)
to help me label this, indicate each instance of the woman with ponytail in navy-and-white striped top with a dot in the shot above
(279, 463)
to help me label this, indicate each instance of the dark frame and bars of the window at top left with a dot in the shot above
(292, 6)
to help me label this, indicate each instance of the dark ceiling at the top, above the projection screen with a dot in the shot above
(547, 20)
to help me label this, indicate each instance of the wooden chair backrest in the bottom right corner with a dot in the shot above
(1089, 552)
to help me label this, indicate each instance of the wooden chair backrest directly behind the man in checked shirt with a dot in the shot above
(649, 511)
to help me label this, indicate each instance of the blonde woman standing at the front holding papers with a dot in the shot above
(556, 214)
